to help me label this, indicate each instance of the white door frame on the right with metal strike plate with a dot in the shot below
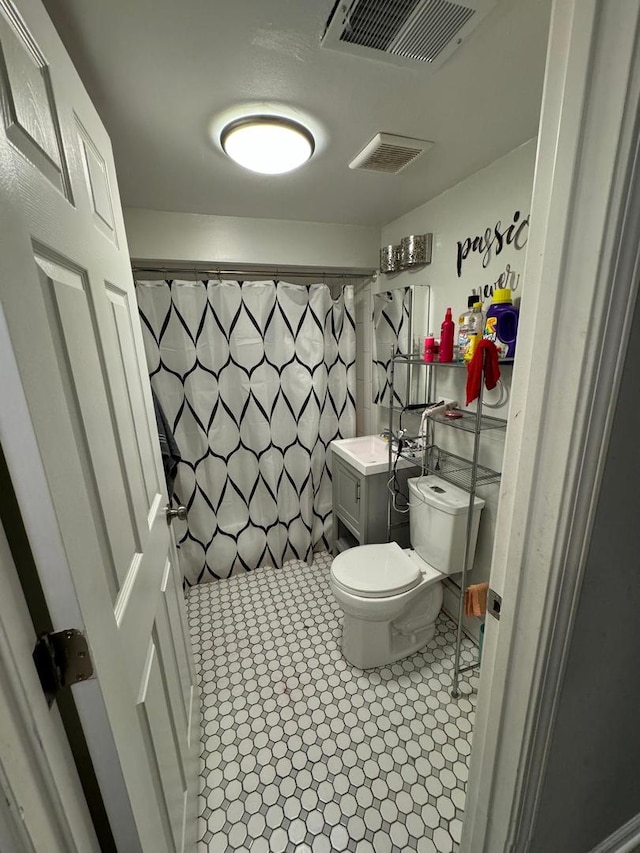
(581, 277)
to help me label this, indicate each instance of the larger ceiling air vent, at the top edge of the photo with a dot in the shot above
(403, 32)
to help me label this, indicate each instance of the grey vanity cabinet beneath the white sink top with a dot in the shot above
(360, 506)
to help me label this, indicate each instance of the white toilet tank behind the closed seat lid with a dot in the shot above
(438, 513)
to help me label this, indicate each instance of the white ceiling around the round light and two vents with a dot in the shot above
(160, 71)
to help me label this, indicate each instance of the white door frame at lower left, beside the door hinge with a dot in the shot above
(41, 802)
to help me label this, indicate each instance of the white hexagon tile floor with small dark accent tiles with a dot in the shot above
(304, 753)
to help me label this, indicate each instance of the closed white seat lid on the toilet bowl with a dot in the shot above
(376, 570)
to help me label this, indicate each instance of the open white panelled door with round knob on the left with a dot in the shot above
(78, 432)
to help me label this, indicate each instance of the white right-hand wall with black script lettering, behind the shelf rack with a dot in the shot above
(491, 195)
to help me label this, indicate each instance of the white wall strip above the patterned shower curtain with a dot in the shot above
(189, 237)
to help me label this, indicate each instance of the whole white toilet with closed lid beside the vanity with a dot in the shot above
(391, 596)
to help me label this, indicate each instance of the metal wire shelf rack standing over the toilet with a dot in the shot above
(468, 474)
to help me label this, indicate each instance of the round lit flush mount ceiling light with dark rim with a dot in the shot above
(268, 144)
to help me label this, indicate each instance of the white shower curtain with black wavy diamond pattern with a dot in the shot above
(255, 378)
